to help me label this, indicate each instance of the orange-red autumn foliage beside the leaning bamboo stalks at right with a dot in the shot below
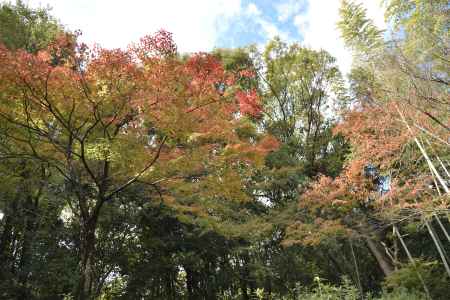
(380, 138)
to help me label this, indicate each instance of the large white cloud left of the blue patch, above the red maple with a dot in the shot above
(195, 24)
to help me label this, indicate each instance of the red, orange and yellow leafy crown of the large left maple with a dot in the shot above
(126, 107)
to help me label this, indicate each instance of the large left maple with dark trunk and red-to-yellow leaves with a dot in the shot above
(107, 119)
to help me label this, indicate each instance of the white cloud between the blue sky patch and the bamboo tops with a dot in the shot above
(319, 30)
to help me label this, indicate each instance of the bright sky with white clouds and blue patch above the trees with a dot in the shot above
(201, 25)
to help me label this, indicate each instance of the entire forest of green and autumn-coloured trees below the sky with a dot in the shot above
(239, 173)
